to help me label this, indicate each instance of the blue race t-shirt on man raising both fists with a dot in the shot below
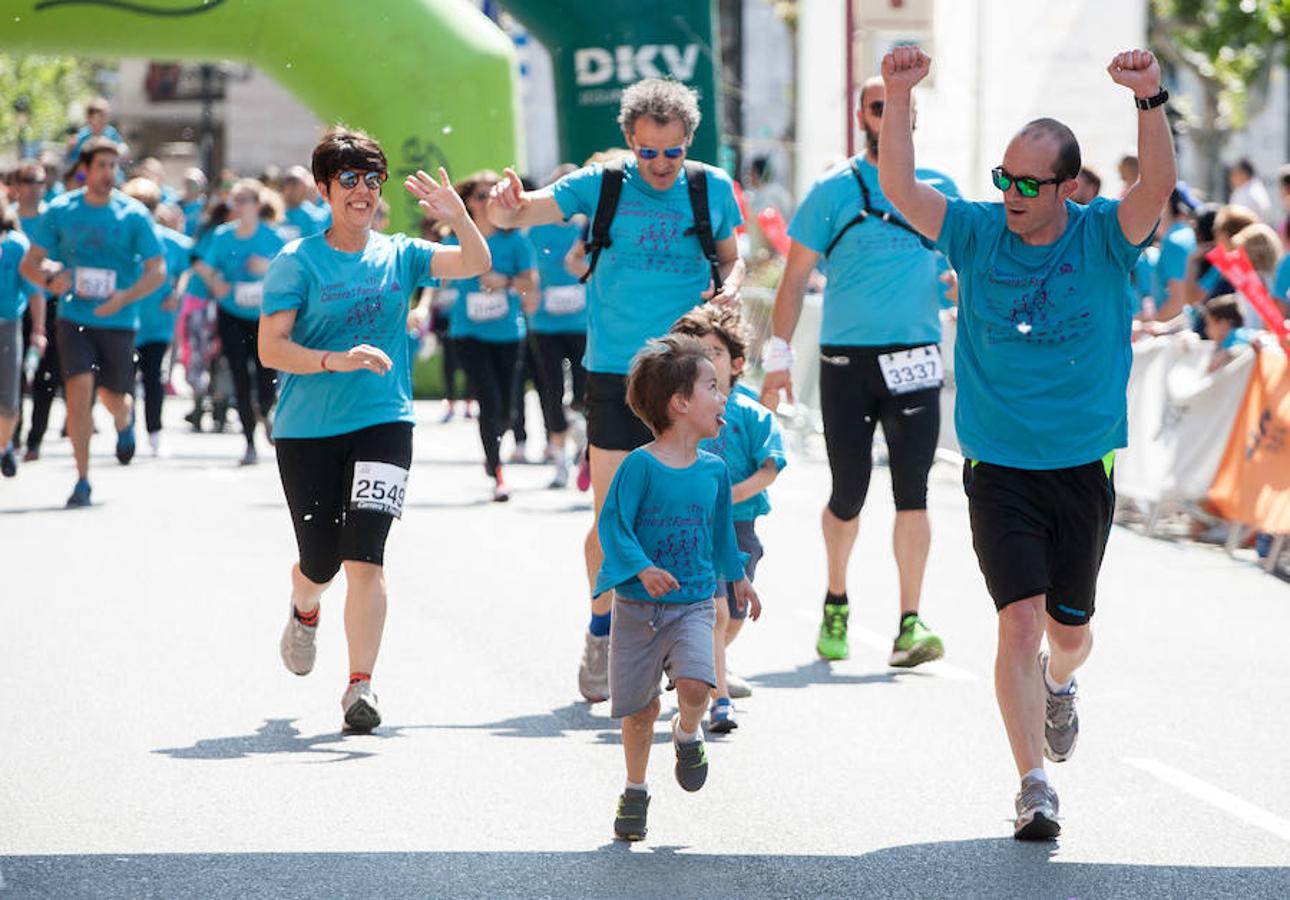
(1043, 355)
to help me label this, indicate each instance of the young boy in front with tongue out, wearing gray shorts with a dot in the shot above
(668, 529)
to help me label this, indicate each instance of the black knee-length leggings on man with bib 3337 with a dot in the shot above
(855, 399)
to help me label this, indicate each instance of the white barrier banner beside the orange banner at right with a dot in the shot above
(1180, 418)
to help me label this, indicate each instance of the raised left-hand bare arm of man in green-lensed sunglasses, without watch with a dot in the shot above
(920, 204)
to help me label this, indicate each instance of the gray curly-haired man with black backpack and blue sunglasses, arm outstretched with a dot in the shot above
(661, 243)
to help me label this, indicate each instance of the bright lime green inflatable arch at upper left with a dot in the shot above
(432, 79)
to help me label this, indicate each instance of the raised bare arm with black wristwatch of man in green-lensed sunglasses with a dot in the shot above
(1142, 206)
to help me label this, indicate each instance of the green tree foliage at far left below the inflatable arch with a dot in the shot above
(55, 88)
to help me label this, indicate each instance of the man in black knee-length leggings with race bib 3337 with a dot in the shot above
(880, 362)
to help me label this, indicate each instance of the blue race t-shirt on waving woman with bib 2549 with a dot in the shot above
(342, 300)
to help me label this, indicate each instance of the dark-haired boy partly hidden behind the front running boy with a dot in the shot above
(754, 451)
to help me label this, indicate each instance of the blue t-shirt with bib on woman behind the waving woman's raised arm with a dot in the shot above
(496, 317)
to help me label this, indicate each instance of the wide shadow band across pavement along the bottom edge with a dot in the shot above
(980, 868)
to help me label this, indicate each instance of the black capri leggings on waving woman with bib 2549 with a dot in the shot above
(318, 479)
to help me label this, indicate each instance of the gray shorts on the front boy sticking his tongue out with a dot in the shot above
(647, 640)
